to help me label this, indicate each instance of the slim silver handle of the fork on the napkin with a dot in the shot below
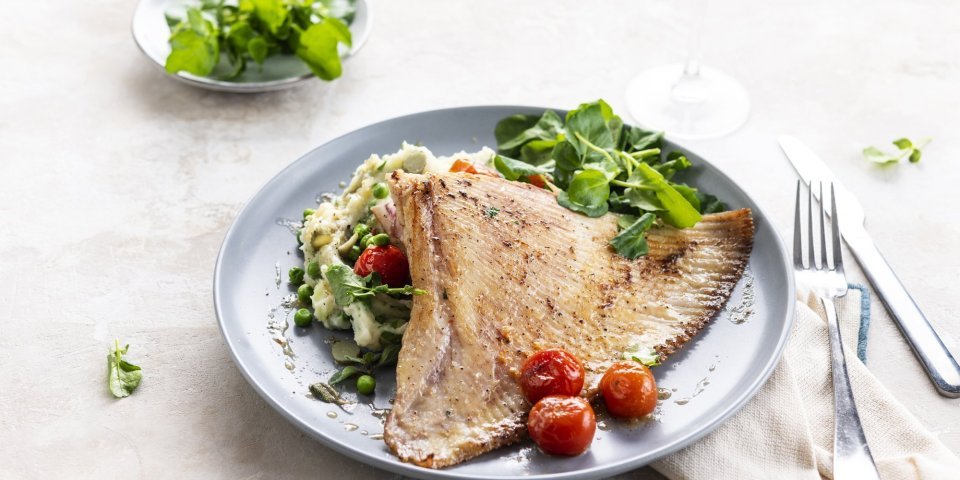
(851, 455)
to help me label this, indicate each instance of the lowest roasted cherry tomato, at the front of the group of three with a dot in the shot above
(562, 425)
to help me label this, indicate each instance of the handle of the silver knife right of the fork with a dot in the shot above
(940, 365)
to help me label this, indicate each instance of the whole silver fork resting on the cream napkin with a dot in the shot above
(851, 455)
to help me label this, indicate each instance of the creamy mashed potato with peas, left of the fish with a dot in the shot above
(329, 232)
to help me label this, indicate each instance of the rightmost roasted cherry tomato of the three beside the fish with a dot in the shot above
(629, 390)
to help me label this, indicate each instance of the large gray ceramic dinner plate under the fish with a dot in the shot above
(710, 379)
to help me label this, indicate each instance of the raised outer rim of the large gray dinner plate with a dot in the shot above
(608, 469)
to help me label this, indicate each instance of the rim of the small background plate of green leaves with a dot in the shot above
(249, 87)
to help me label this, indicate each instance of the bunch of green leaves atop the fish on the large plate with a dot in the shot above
(596, 164)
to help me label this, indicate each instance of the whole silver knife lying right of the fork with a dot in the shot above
(940, 365)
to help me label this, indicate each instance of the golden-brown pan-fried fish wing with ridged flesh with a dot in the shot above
(508, 271)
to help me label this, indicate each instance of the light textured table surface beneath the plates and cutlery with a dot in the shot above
(117, 186)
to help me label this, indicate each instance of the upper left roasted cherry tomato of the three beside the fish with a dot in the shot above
(551, 372)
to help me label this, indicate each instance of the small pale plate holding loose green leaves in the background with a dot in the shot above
(151, 33)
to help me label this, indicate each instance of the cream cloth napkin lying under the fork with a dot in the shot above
(786, 431)
